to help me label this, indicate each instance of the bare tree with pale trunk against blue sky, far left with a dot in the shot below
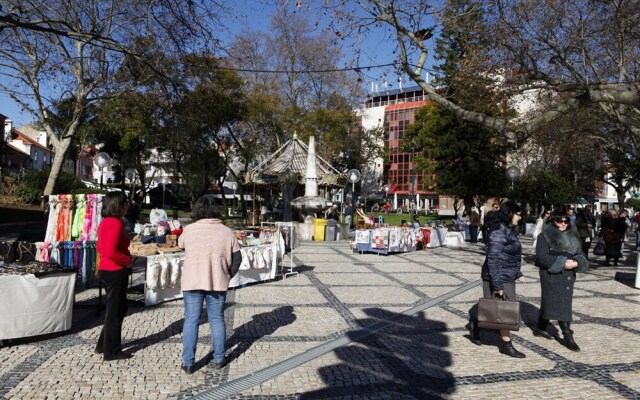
(56, 49)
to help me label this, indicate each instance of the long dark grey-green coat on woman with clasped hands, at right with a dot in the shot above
(553, 249)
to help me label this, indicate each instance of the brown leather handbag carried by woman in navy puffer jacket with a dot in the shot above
(499, 313)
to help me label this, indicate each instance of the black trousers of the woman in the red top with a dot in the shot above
(115, 283)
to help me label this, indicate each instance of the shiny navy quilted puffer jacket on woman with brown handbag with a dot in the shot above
(503, 260)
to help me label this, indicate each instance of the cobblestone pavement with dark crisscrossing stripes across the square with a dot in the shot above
(351, 326)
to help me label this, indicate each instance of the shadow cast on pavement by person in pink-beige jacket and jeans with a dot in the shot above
(261, 325)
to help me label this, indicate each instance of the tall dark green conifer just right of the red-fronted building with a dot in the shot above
(461, 159)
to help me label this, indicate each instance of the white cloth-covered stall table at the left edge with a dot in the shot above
(35, 299)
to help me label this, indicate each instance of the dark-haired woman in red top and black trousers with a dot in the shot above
(115, 268)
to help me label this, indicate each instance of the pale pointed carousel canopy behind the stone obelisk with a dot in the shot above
(287, 167)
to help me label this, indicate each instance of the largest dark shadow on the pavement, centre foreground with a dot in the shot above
(404, 359)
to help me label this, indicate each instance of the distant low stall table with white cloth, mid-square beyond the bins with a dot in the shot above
(387, 240)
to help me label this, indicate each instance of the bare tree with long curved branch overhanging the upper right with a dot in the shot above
(576, 52)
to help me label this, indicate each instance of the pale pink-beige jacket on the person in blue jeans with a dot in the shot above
(208, 247)
